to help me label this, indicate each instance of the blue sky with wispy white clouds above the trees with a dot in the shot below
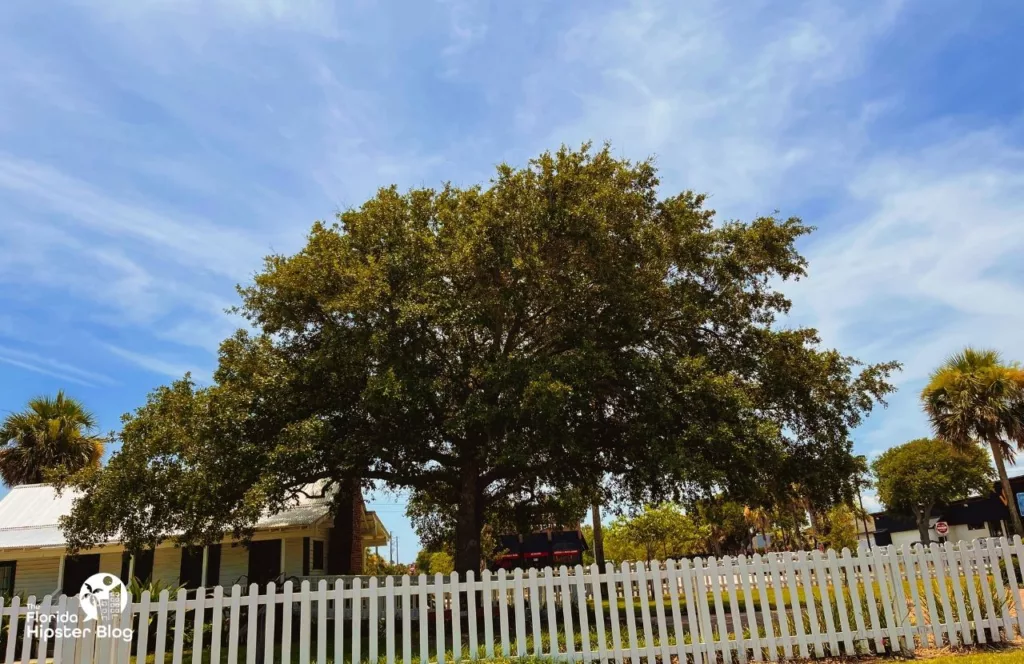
(152, 152)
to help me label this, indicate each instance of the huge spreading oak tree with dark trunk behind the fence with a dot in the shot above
(565, 325)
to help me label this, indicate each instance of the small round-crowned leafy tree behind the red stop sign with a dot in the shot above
(915, 477)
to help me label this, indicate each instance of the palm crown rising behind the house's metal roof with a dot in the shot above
(51, 435)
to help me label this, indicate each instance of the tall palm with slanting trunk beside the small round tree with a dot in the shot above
(975, 399)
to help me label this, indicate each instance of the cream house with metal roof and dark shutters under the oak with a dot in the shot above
(296, 543)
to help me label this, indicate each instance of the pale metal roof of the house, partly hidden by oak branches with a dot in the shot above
(30, 514)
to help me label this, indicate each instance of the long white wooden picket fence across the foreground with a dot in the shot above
(771, 608)
